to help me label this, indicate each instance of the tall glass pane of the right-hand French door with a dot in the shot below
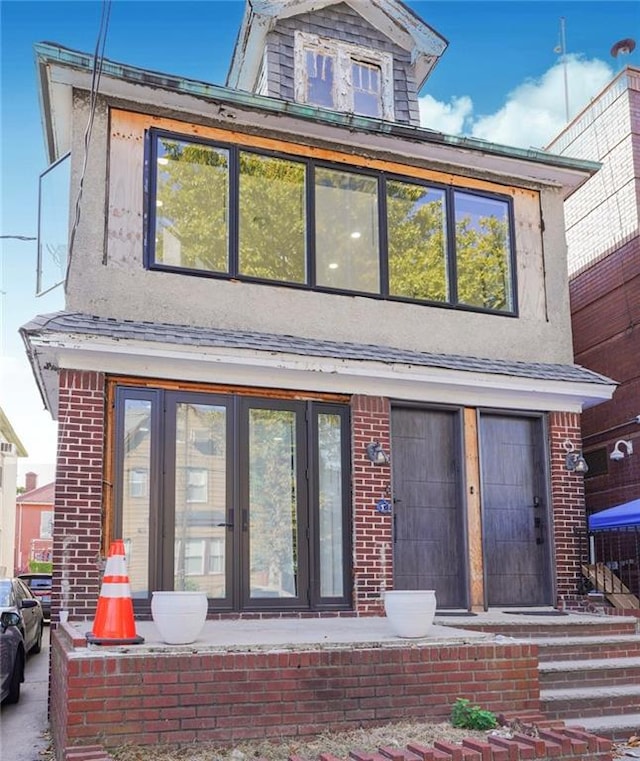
(273, 531)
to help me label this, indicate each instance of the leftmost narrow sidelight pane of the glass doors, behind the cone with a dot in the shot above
(136, 506)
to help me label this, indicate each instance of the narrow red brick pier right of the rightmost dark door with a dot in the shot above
(567, 498)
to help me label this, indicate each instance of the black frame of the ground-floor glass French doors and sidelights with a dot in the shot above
(163, 403)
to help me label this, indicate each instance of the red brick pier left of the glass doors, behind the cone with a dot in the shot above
(78, 501)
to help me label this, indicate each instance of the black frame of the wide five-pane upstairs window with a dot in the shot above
(153, 135)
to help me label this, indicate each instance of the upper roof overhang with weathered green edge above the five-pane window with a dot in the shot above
(61, 71)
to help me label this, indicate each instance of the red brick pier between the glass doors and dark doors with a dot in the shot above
(372, 531)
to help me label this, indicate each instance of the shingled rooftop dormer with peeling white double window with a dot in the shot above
(366, 57)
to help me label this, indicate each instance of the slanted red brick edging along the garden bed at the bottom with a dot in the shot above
(532, 737)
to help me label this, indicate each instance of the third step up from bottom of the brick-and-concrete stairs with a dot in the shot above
(593, 672)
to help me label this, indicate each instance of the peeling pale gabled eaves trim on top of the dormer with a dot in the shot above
(392, 18)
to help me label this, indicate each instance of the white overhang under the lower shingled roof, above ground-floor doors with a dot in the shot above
(50, 352)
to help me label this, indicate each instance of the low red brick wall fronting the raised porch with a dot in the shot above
(223, 696)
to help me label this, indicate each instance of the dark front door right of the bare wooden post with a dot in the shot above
(514, 515)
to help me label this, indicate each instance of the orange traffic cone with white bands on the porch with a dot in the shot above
(114, 624)
